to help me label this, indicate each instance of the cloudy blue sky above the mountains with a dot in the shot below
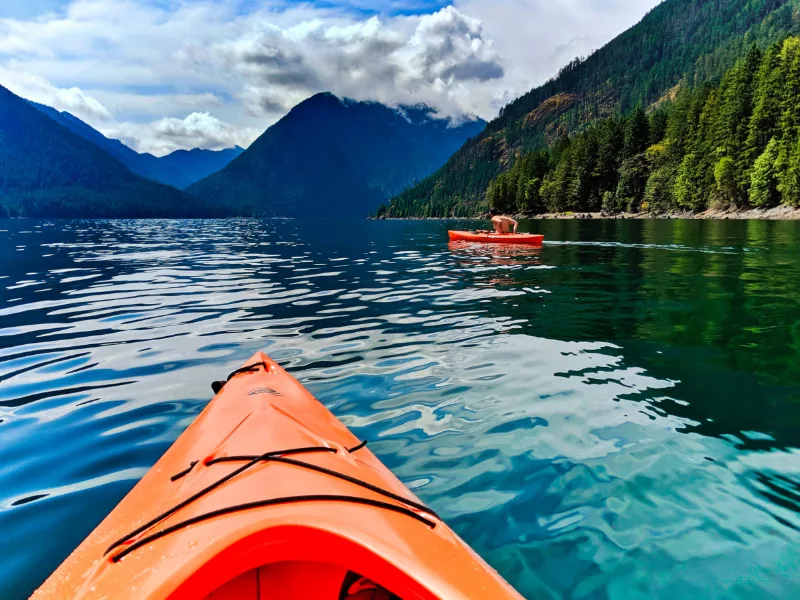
(169, 74)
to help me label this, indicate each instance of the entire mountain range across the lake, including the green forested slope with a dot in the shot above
(667, 107)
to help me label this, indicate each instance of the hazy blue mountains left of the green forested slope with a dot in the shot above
(327, 157)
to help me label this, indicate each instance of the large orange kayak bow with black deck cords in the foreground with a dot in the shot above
(268, 496)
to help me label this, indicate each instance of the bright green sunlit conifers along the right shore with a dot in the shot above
(735, 144)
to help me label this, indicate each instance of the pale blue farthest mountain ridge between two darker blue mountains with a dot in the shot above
(179, 169)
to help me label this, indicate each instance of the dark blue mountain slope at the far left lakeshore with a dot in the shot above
(46, 170)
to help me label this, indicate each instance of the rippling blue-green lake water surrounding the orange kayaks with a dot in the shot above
(616, 415)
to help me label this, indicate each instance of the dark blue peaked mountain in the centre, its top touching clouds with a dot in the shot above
(332, 156)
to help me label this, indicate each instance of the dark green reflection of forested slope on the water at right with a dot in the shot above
(712, 306)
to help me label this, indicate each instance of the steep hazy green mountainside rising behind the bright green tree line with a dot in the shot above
(679, 44)
